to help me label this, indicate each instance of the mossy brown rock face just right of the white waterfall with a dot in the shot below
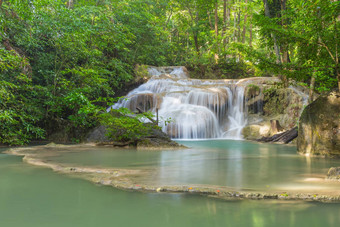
(266, 104)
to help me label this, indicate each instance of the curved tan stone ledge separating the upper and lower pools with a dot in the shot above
(131, 179)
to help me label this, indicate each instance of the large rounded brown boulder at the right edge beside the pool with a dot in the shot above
(319, 127)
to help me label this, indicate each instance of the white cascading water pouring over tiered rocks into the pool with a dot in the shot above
(194, 109)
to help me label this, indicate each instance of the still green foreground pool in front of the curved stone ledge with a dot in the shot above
(33, 197)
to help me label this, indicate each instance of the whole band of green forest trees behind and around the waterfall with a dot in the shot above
(62, 61)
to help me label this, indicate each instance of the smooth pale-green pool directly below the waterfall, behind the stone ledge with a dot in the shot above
(238, 164)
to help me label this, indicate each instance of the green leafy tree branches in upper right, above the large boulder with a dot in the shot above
(306, 33)
